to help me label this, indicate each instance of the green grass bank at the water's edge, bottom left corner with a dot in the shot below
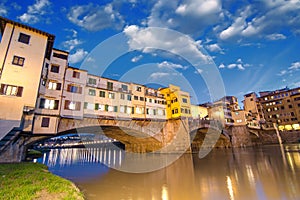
(34, 181)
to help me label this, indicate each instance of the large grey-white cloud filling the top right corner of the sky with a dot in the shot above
(263, 19)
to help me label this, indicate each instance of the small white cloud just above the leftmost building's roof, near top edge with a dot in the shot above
(35, 12)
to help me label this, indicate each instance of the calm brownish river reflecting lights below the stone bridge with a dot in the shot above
(267, 172)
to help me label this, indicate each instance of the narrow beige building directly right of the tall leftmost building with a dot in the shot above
(49, 101)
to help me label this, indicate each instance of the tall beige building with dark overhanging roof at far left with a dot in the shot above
(23, 52)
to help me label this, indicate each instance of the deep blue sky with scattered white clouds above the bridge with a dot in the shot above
(208, 47)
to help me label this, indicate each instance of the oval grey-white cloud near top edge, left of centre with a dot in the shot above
(94, 17)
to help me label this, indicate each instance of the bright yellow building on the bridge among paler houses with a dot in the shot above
(178, 102)
